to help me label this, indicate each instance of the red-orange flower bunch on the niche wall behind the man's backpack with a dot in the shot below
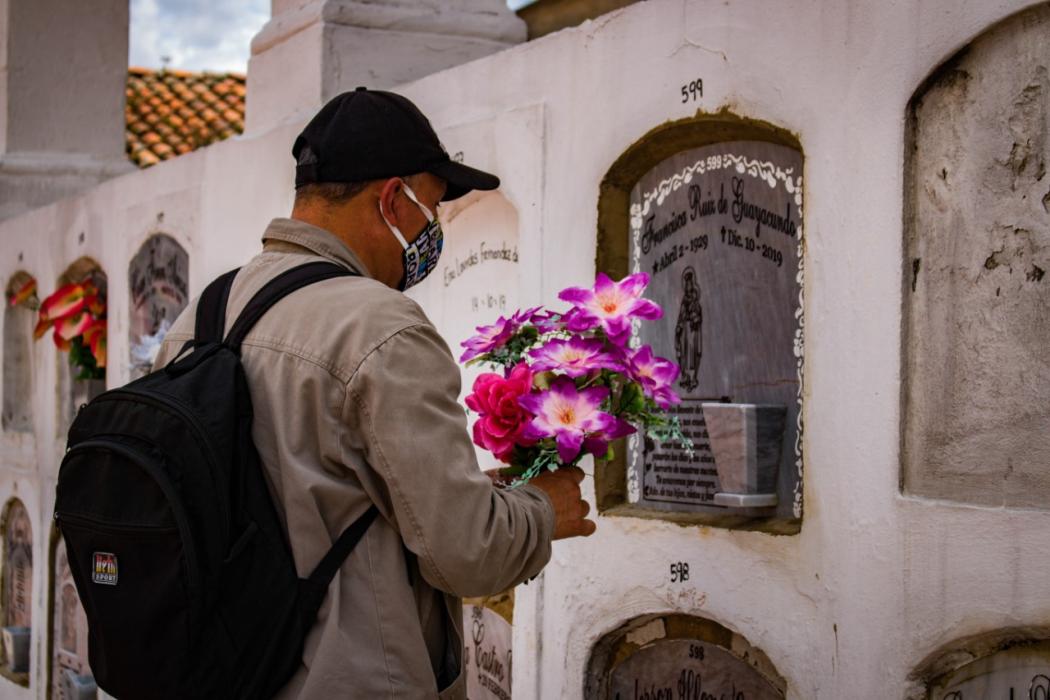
(78, 315)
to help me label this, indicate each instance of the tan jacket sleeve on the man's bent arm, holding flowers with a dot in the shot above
(471, 538)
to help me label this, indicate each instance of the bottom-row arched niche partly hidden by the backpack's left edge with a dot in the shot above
(68, 640)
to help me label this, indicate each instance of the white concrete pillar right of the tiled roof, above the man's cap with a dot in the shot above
(313, 50)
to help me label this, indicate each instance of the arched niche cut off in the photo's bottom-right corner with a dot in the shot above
(1002, 664)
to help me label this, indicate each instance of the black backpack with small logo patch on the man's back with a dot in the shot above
(179, 556)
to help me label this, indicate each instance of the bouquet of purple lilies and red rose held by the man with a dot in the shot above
(571, 383)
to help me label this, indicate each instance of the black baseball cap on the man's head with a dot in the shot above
(372, 135)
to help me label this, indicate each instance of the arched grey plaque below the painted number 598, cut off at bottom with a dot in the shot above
(688, 669)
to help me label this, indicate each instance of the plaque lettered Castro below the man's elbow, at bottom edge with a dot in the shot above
(488, 654)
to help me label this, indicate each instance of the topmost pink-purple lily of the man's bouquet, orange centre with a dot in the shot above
(611, 306)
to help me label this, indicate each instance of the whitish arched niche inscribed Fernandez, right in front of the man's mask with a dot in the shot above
(478, 277)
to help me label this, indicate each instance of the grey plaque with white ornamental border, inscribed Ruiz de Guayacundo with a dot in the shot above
(719, 229)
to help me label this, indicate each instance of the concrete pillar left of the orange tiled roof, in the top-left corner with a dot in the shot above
(64, 71)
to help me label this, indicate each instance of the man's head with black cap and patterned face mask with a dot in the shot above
(371, 171)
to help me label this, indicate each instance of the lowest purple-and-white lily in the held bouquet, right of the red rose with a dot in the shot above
(570, 417)
